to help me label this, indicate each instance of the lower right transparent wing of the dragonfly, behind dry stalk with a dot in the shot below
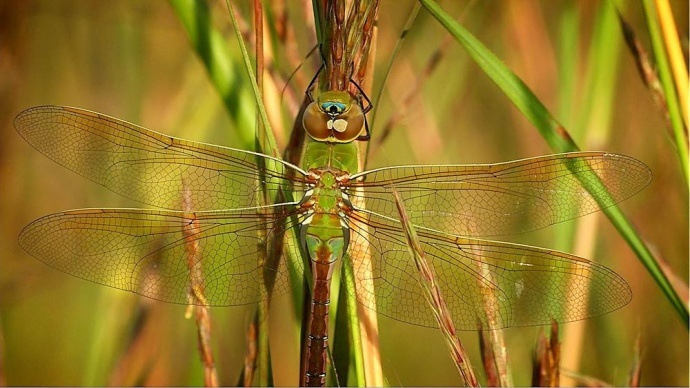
(484, 283)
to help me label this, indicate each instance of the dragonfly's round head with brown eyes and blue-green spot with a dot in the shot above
(335, 117)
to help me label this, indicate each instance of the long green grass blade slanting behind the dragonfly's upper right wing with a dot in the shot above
(556, 137)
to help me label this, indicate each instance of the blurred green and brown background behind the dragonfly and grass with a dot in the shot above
(132, 60)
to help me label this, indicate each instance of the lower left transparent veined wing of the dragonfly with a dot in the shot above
(164, 255)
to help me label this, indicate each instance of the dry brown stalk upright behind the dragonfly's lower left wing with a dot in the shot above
(197, 300)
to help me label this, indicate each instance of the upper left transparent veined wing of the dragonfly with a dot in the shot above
(148, 166)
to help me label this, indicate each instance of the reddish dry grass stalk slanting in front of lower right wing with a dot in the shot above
(433, 295)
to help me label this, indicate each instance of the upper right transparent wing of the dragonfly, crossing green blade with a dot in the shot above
(503, 198)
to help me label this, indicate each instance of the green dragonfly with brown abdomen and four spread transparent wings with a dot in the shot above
(207, 234)
